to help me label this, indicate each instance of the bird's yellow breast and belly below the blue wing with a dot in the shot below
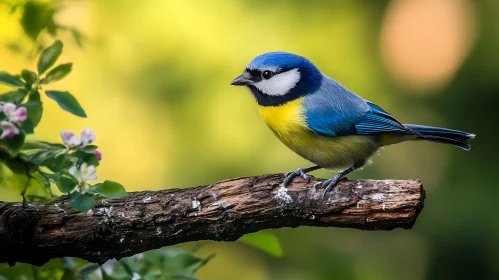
(329, 152)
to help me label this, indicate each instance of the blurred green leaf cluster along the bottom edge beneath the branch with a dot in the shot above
(161, 264)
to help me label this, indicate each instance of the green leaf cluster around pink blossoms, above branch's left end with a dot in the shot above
(48, 163)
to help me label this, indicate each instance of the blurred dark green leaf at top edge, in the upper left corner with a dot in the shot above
(36, 16)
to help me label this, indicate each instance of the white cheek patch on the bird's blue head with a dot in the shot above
(280, 84)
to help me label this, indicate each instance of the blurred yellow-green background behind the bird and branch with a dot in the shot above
(153, 77)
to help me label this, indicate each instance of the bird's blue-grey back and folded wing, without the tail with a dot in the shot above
(334, 110)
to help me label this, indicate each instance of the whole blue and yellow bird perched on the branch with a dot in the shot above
(323, 121)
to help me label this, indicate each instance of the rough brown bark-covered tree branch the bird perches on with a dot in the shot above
(223, 211)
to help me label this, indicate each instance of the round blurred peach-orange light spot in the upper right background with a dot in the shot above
(424, 42)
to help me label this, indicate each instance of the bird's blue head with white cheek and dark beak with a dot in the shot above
(276, 78)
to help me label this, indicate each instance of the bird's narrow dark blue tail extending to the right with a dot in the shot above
(443, 135)
